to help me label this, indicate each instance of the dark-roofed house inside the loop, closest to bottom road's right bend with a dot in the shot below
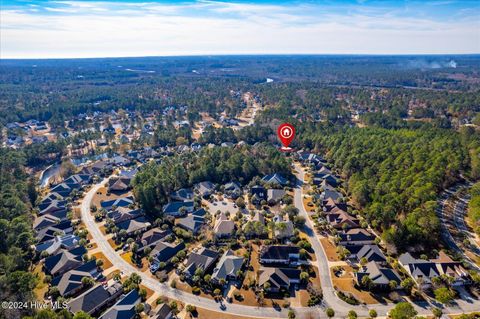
(278, 278)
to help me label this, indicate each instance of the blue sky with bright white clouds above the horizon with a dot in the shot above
(89, 28)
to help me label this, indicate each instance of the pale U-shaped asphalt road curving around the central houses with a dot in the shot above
(330, 299)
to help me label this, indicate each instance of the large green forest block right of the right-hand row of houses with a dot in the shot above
(395, 175)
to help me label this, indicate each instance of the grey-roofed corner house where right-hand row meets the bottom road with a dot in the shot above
(380, 276)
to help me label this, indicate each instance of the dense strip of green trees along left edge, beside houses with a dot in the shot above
(17, 194)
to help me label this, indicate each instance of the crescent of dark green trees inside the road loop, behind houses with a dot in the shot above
(154, 183)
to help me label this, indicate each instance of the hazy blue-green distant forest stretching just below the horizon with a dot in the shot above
(52, 89)
